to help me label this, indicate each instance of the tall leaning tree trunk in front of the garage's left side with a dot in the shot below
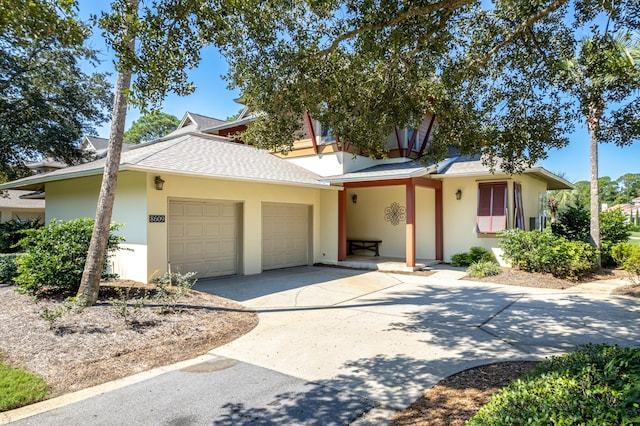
(90, 283)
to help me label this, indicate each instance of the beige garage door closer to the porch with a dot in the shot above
(285, 235)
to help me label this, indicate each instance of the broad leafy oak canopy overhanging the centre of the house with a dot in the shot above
(489, 71)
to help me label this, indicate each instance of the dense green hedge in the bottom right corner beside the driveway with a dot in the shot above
(596, 385)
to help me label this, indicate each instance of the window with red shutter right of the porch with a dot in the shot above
(492, 207)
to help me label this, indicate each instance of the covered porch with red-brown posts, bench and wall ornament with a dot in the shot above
(409, 226)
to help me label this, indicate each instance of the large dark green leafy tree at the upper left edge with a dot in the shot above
(47, 101)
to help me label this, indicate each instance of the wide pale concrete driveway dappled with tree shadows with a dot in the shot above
(334, 344)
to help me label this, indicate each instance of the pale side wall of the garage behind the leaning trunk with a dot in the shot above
(76, 198)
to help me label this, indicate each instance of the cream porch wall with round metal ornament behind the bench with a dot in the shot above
(366, 220)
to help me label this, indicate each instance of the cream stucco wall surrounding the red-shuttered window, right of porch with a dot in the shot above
(460, 215)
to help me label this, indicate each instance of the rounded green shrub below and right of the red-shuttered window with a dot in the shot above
(541, 251)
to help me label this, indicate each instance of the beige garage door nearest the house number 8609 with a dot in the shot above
(203, 237)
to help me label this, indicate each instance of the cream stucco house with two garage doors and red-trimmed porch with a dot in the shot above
(196, 200)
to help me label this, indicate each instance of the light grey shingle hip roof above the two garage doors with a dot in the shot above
(191, 154)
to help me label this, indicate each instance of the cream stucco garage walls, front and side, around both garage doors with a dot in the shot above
(137, 198)
